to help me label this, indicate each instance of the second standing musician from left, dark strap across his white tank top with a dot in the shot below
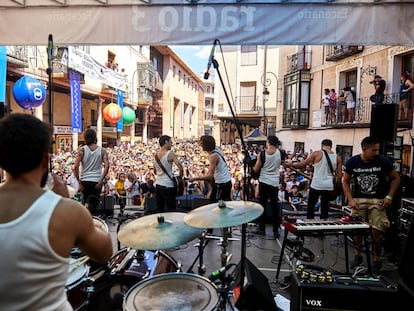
(165, 189)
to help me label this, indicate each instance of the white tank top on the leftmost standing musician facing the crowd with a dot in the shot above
(91, 164)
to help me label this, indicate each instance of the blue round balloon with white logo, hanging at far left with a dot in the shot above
(29, 92)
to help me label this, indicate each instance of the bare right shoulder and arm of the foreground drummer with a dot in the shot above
(72, 224)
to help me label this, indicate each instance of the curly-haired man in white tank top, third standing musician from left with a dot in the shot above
(218, 174)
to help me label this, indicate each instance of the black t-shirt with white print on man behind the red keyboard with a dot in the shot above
(370, 180)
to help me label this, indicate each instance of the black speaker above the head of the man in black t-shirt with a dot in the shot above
(384, 121)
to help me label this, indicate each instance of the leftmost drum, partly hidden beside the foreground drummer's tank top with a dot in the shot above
(76, 283)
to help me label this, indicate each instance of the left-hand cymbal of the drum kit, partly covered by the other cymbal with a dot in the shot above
(157, 231)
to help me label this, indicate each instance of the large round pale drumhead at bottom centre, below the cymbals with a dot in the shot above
(173, 291)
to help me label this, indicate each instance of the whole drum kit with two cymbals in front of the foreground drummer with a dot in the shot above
(143, 277)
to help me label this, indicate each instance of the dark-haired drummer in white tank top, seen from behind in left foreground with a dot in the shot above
(38, 228)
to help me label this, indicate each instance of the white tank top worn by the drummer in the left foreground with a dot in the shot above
(33, 276)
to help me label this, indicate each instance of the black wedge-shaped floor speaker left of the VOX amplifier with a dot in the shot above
(256, 294)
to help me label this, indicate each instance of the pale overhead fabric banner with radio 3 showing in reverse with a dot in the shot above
(235, 23)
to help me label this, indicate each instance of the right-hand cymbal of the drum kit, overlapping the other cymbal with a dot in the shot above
(223, 214)
